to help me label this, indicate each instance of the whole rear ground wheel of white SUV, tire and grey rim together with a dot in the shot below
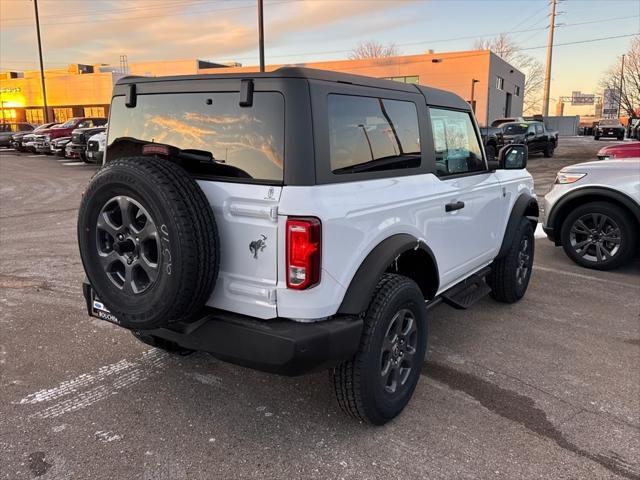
(378, 382)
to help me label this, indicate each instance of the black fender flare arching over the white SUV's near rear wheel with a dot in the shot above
(364, 282)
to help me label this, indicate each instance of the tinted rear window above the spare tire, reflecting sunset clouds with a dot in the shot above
(248, 141)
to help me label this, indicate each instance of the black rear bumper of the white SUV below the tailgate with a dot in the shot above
(278, 346)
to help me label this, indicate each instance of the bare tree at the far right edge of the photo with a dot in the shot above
(630, 97)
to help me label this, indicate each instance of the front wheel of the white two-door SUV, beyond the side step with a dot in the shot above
(507, 284)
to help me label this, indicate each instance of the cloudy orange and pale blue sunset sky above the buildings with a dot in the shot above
(99, 31)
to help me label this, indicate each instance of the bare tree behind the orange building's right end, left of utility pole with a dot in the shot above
(508, 50)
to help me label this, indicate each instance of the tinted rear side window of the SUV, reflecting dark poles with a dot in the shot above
(369, 134)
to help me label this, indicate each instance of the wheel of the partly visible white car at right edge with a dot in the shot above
(598, 235)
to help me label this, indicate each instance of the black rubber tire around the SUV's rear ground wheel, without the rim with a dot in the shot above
(357, 382)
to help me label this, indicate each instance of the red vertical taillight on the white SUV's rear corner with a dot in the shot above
(304, 239)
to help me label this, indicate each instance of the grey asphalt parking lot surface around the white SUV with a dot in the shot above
(546, 388)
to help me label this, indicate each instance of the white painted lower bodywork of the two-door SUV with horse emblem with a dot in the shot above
(356, 217)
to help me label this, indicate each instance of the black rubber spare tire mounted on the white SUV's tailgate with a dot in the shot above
(186, 241)
